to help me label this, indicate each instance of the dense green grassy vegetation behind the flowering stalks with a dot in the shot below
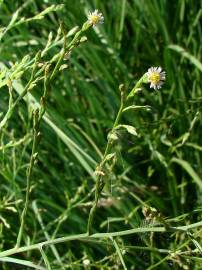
(161, 167)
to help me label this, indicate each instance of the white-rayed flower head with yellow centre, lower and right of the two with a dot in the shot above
(156, 76)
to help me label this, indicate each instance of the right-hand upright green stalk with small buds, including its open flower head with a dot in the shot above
(156, 77)
